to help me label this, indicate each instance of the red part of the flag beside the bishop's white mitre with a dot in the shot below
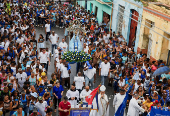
(90, 98)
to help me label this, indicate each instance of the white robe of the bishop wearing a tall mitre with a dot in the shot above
(103, 106)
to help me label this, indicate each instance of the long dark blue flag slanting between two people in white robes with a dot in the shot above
(120, 110)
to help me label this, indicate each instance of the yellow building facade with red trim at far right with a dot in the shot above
(154, 37)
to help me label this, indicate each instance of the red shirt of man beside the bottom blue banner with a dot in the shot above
(64, 106)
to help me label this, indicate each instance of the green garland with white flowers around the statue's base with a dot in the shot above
(76, 56)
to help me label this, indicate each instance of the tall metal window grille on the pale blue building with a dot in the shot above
(120, 19)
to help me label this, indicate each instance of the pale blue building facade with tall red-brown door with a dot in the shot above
(126, 15)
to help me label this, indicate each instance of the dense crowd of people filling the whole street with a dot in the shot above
(27, 91)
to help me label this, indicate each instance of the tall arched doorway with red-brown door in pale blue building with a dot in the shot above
(133, 27)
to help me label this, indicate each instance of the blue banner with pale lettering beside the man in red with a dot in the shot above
(80, 112)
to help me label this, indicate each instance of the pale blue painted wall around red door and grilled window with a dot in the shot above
(128, 4)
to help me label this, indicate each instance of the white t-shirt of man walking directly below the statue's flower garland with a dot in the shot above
(79, 82)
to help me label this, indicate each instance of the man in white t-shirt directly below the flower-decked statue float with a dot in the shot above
(79, 82)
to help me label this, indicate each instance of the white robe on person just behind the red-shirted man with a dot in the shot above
(71, 94)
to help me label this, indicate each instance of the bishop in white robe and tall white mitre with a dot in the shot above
(103, 103)
